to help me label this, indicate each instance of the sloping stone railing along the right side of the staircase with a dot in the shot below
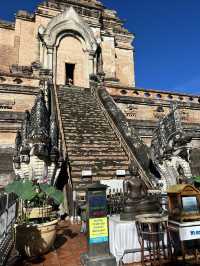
(121, 128)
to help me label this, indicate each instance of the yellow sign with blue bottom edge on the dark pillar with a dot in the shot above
(98, 230)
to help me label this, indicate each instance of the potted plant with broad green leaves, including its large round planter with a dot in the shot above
(35, 230)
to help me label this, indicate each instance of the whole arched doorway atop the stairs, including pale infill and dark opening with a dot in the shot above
(69, 49)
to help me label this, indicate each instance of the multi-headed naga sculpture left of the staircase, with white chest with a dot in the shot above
(36, 146)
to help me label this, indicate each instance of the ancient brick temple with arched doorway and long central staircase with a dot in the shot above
(68, 48)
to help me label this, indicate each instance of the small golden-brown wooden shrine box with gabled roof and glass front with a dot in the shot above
(184, 203)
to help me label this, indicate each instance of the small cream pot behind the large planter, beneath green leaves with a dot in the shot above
(42, 212)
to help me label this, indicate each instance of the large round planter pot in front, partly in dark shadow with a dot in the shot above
(35, 240)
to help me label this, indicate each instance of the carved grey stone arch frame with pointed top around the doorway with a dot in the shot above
(68, 23)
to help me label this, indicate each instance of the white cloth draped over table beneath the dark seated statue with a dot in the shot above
(123, 236)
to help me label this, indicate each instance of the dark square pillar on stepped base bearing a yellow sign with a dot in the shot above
(97, 228)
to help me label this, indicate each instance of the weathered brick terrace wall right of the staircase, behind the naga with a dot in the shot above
(144, 108)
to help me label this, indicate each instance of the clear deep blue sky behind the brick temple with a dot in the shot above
(167, 40)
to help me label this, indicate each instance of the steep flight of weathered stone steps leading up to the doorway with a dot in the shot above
(90, 140)
